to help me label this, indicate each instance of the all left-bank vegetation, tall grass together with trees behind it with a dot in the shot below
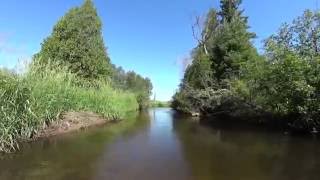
(71, 73)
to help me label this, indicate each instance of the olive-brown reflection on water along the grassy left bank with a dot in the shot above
(71, 156)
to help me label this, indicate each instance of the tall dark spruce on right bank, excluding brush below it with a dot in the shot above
(231, 45)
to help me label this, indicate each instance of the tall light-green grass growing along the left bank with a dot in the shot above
(34, 100)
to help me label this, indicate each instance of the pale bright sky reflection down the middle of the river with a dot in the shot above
(153, 153)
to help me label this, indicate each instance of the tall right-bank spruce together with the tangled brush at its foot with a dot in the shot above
(219, 63)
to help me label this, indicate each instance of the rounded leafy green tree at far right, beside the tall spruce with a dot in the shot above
(290, 82)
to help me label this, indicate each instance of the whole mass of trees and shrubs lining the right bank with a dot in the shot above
(228, 76)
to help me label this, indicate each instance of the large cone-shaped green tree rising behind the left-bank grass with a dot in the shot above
(76, 42)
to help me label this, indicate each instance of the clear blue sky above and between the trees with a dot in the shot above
(150, 37)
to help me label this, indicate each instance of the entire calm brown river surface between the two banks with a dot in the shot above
(160, 145)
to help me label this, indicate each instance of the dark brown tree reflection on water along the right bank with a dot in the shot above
(231, 153)
